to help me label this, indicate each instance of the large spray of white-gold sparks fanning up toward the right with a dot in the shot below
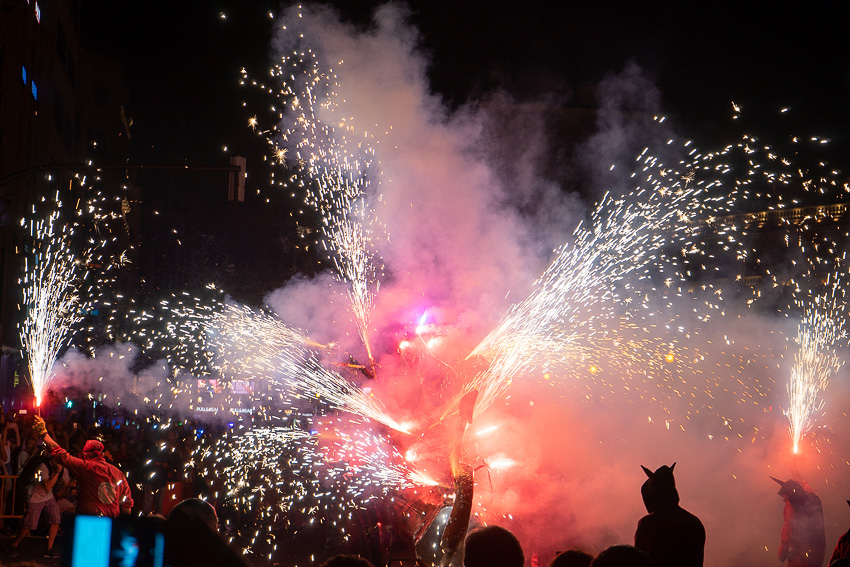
(592, 301)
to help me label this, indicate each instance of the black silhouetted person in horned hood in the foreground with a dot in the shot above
(669, 534)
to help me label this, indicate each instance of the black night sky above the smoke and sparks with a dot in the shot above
(182, 61)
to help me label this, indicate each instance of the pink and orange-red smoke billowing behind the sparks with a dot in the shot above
(470, 222)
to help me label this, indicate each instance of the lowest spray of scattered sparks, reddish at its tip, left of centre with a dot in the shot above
(270, 472)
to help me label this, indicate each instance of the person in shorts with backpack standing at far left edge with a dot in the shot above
(39, 478)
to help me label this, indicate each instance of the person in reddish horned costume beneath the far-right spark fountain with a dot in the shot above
(803, 539)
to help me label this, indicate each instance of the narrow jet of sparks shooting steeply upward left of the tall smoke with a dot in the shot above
(336, 167)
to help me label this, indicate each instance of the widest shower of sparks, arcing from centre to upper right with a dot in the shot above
(613, 298)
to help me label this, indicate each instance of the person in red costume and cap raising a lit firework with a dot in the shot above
(102, 488)
